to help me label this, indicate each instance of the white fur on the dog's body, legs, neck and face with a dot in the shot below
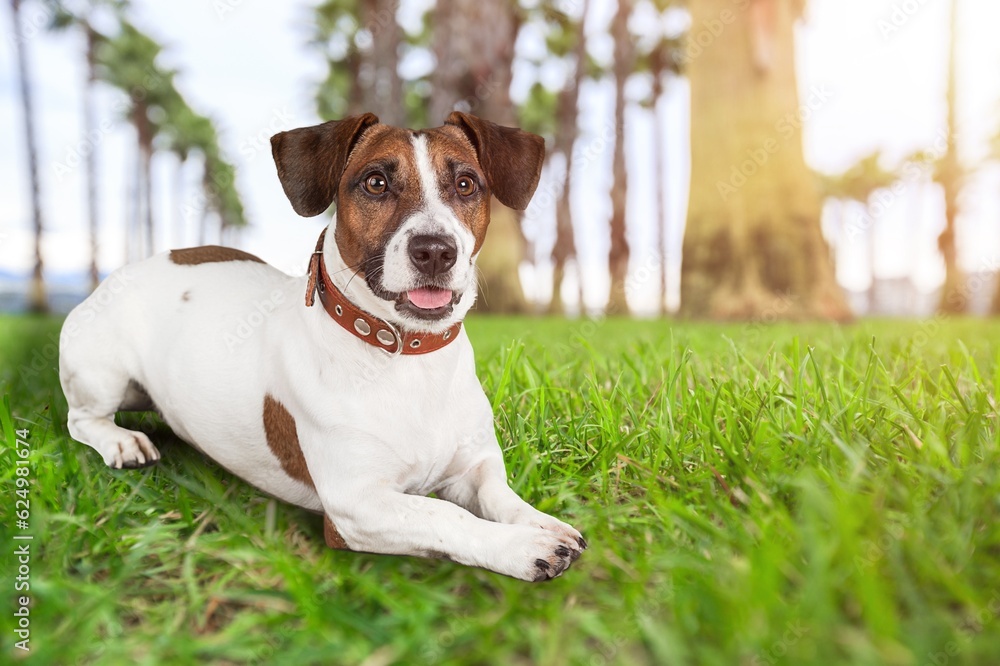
(378, 432)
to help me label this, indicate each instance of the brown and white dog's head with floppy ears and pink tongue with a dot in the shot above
(412, 206)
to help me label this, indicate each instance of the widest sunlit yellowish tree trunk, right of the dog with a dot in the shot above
(753, 246)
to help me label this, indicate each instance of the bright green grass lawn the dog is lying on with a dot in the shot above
(752, 494)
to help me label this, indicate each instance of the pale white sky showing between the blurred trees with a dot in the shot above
(881, 65)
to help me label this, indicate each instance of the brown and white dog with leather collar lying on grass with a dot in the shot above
(359, 406)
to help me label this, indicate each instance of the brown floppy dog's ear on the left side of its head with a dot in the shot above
(311, 160)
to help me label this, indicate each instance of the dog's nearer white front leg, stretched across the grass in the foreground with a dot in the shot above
(399, 524)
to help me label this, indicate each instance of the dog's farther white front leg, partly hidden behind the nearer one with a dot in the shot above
(483, 490)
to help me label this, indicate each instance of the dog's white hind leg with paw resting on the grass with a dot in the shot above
(93, 397)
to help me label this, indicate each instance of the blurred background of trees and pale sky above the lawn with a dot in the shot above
(727, 159)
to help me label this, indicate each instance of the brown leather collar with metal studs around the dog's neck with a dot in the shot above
(376, 332)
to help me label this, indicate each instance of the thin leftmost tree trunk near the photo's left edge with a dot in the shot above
(37, 299)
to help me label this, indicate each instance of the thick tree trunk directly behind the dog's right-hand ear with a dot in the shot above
(474, 48)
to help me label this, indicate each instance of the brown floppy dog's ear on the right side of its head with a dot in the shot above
(511, 158)
